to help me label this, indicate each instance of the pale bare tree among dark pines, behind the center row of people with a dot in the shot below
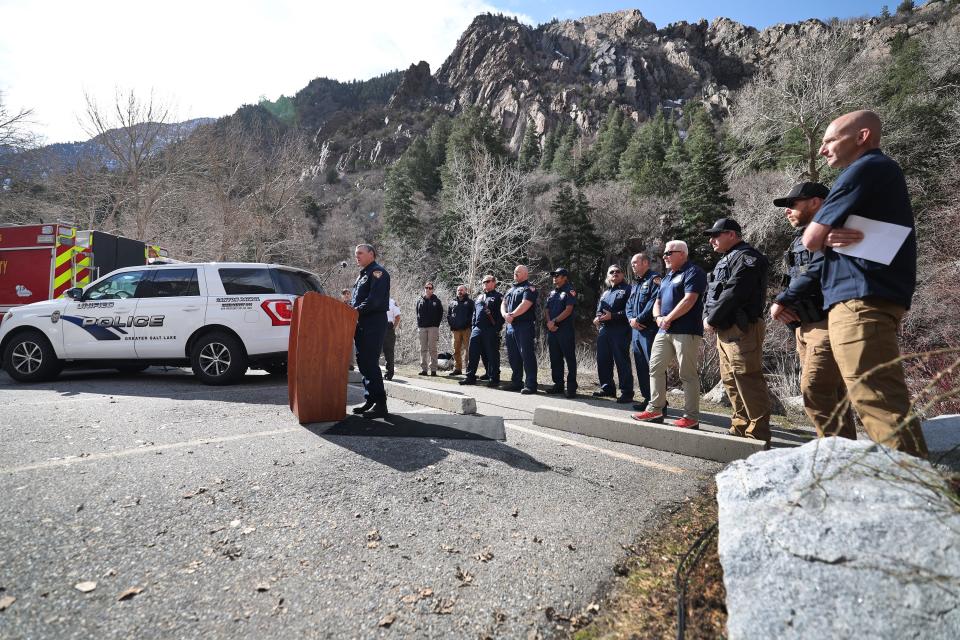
(490, 230)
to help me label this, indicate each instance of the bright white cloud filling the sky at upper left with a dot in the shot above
(208, 57)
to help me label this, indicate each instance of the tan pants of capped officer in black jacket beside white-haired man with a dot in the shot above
(741, 356)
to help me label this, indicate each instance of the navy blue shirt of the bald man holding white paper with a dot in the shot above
(873, 187)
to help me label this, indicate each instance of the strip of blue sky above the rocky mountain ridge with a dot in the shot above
(757, 14)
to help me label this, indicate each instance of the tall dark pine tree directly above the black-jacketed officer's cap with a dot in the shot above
(703, 186)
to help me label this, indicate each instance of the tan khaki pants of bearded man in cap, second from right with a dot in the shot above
(821, 383)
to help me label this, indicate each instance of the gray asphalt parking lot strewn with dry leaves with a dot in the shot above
(210, 512)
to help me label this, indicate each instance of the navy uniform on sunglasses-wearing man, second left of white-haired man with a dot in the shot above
(613, 342)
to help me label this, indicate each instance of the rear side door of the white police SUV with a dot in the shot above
(171, 307)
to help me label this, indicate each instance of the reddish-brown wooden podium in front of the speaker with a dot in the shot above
(321, 341)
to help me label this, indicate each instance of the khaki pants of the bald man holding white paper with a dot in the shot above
(863, 334)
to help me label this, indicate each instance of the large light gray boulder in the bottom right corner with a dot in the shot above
(838, 539)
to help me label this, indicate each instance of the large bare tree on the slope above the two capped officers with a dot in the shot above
(812, 81)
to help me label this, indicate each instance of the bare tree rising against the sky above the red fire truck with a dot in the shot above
(138, 138)
